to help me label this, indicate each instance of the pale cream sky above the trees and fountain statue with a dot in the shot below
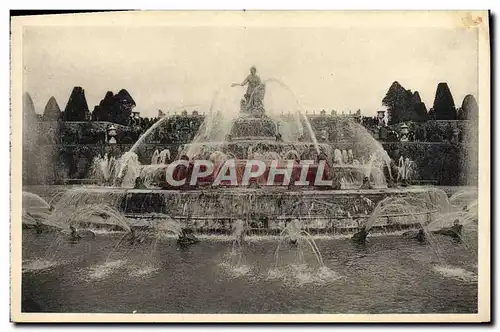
(170, 67)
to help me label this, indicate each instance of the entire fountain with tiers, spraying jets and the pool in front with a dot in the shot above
(258, 179)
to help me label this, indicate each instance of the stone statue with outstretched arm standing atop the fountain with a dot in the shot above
(253, 100)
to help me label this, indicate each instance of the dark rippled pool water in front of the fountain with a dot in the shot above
(390, 274)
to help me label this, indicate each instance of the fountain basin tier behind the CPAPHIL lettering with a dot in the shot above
(322, 176)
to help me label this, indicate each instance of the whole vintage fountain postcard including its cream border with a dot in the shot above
(313, 165)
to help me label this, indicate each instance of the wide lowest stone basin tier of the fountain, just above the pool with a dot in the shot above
(267, 210)
